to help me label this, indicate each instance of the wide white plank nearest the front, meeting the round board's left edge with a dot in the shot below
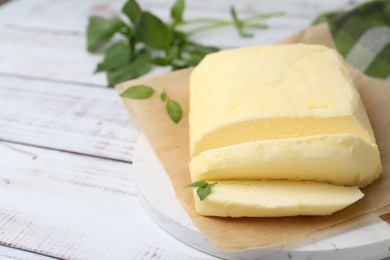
(76, 207)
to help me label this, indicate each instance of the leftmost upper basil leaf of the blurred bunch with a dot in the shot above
(100, 30)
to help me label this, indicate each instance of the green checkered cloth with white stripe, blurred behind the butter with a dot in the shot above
(362, 36)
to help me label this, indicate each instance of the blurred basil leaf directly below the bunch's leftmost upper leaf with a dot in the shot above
(116, 56)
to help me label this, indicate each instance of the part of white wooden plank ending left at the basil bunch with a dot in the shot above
(48, 56)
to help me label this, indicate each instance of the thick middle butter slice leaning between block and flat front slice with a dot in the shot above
(342, 159)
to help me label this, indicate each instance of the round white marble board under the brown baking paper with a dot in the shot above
(368, 240)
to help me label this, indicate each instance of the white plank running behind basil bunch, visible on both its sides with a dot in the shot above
(62, 57)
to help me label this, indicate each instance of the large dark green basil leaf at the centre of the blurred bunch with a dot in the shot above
(153, 32)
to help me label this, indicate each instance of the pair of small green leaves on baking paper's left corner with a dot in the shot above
(173, 108)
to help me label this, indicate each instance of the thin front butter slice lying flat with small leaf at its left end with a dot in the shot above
(275, 199)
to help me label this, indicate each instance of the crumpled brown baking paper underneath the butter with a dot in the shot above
(171, 144)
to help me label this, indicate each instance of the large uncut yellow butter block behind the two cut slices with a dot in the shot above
(273, 92)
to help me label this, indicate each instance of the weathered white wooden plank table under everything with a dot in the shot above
(66, 141)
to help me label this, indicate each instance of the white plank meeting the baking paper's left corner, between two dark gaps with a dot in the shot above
(67, 117)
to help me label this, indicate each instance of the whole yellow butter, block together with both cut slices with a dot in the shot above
(286, 113)
